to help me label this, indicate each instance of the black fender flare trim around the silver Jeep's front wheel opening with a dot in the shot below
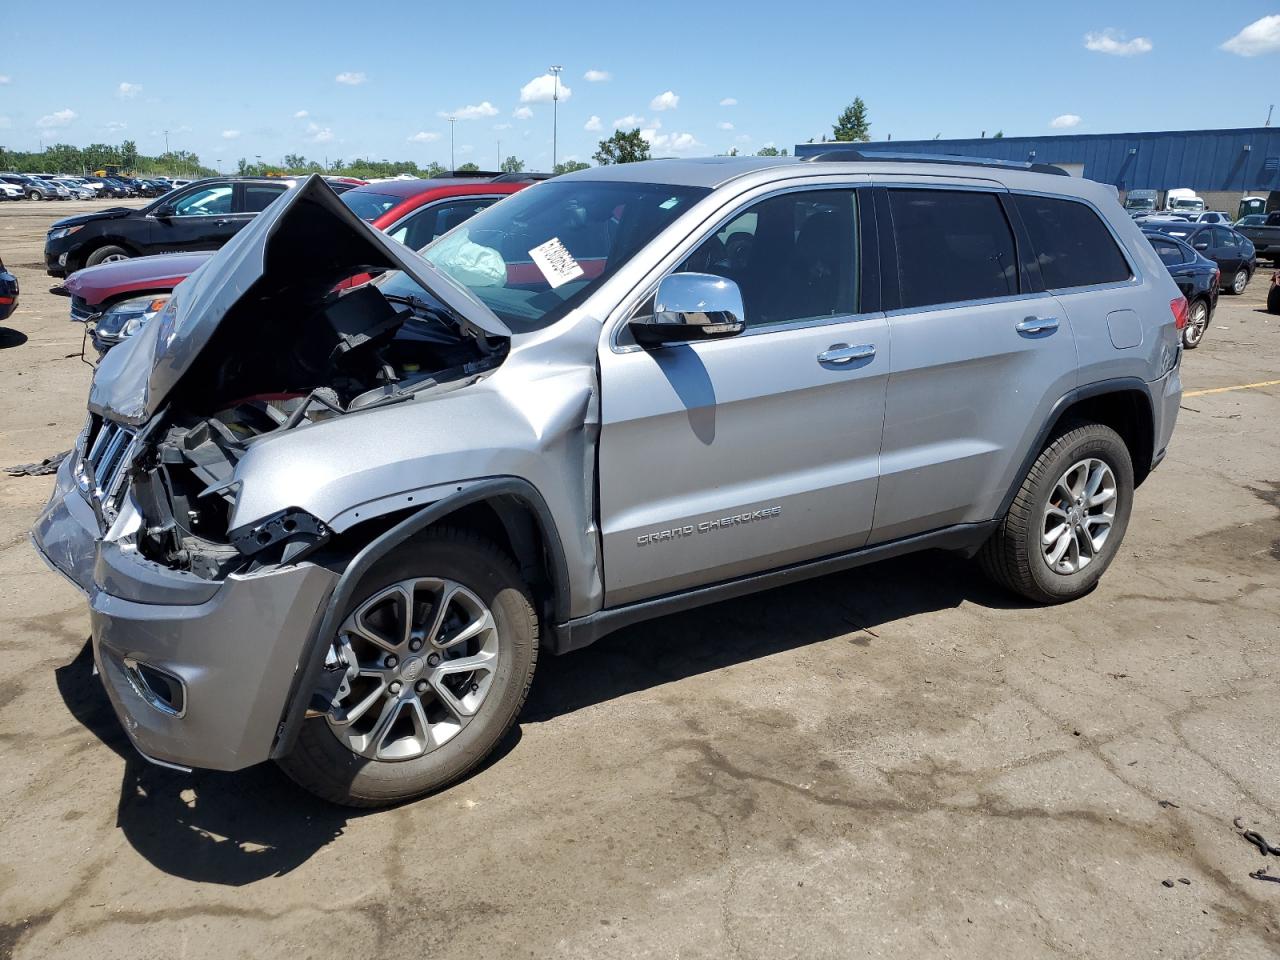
(313, 657)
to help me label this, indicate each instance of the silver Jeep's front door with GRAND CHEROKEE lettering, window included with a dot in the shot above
(729, 458)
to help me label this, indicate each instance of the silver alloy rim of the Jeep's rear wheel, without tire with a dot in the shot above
(1078, 516)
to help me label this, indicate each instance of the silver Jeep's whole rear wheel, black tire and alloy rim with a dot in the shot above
(1067, 520)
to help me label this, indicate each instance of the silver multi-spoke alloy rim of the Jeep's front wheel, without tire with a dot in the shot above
(420, 659)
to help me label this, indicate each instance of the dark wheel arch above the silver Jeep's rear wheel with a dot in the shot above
(1124, 405)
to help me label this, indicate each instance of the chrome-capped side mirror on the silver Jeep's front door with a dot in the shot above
(691, 308)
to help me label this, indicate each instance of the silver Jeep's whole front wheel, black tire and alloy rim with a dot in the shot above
(440, 650)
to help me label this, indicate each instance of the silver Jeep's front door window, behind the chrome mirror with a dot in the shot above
(794, 257)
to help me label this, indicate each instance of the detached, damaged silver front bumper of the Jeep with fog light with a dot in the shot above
(199, 671)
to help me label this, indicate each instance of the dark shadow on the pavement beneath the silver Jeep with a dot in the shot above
(236, 829)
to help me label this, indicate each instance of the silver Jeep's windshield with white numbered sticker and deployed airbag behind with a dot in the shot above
(541, 253)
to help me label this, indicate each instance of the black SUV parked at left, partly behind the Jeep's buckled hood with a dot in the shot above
(204, 216)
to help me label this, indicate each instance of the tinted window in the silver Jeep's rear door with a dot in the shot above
(953, 246)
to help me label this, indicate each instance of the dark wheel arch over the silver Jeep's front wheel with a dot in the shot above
(509, 510)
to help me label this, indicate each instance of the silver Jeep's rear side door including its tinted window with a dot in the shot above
(981, 354)
